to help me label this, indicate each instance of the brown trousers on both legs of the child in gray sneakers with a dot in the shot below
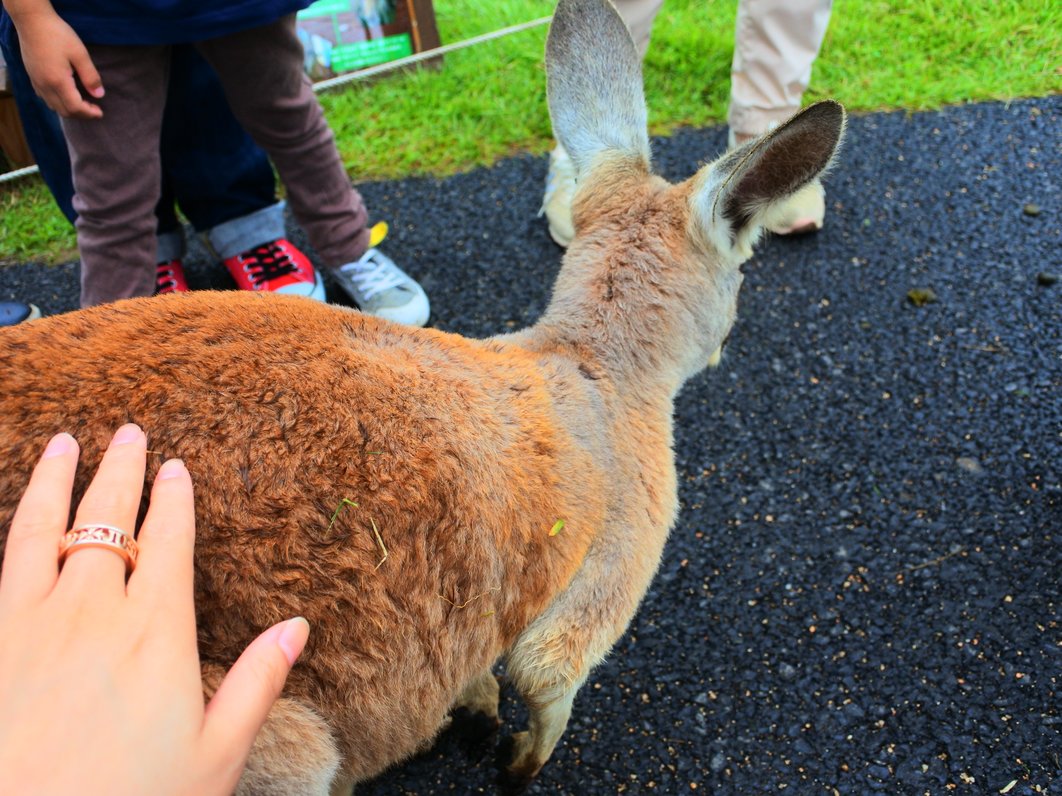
(116, 164)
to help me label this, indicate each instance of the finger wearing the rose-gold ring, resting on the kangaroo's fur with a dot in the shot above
(112, 499)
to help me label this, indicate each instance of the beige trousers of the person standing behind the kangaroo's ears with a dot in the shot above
(776, 43)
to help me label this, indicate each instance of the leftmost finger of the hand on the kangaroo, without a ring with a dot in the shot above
(31, 560)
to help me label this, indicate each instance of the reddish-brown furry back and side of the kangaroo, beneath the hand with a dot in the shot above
(323, 443)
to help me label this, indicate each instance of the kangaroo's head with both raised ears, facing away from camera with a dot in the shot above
(650, 283)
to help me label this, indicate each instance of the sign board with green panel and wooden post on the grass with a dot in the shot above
(342, 37)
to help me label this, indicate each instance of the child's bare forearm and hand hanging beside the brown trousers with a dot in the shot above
(56, 59)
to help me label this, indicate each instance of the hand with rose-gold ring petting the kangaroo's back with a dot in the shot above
(100, 685)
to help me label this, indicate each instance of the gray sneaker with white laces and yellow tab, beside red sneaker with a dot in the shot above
(381, 288)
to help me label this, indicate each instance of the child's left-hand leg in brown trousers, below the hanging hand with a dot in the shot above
(116, 175)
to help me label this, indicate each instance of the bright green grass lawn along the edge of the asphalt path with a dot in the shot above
(489, 101)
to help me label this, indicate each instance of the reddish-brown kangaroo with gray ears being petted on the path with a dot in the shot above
(433, 504)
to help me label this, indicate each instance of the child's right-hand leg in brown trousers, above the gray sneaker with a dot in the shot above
(262, 72)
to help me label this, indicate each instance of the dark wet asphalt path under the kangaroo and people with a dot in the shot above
(863, 592)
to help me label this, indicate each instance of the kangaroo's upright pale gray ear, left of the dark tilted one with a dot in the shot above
(594, 84)
